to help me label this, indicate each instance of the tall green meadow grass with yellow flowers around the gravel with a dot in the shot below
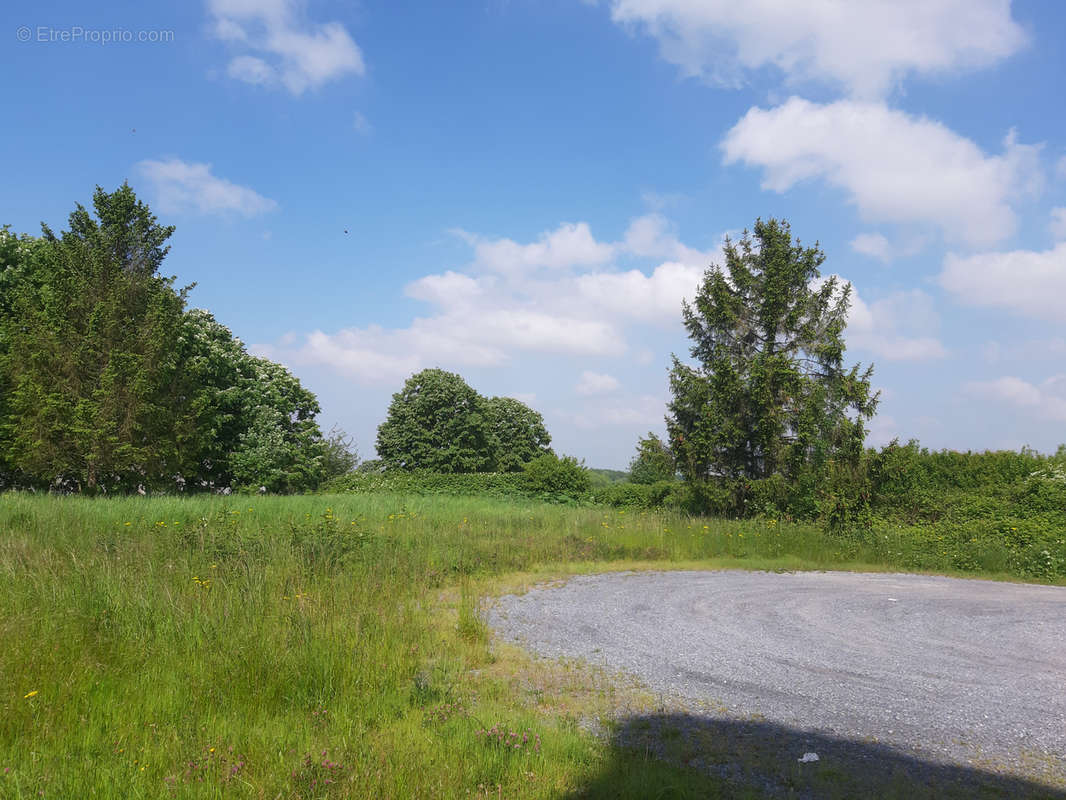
(331, 646)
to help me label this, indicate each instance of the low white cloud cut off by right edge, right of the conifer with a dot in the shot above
(1023, 281)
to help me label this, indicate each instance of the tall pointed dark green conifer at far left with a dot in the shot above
(89, 354)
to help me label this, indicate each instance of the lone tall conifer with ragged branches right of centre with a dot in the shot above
(771, 395)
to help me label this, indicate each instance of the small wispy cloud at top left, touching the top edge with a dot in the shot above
(293, 52)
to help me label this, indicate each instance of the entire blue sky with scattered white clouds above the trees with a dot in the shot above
(530, 189)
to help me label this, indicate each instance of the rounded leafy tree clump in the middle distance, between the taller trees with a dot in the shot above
(440, 424)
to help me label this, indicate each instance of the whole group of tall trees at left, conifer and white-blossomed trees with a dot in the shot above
(110, 383)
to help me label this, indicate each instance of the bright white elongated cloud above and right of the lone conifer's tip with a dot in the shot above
(894, 167)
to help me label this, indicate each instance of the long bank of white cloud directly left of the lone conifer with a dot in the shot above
(556, 295)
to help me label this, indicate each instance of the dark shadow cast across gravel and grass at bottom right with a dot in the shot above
(682, 756)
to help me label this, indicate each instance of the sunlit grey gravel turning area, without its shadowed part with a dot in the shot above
(960, 671)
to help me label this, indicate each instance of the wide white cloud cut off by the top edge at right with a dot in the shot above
(867, 47)
